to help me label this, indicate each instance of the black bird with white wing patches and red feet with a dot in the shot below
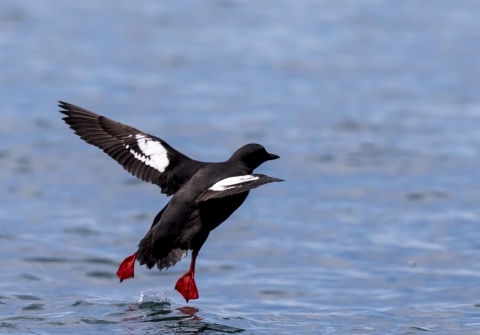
(203, 194)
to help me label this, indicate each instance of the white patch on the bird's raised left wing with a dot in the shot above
(154, 154)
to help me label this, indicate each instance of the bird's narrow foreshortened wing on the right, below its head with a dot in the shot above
(235, 185)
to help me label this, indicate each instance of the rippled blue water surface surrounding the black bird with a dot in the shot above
(373, 107)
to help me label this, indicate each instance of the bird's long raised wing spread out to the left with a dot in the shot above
(145, 156)
